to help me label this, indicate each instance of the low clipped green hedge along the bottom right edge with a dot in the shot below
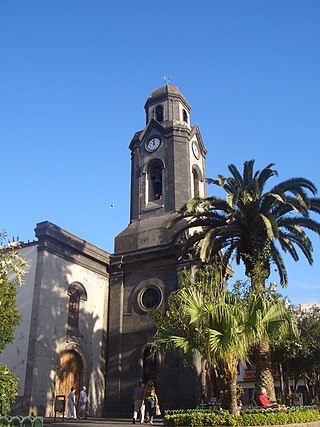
(254, 417)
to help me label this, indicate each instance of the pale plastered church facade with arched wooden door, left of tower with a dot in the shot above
(67, 334)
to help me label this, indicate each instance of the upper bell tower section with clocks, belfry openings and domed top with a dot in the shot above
(167, 169)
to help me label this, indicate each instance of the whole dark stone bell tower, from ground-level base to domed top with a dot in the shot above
(167, 169)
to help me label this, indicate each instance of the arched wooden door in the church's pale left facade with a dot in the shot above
(70, 373)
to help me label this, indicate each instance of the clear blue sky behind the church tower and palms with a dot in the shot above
(75, 76)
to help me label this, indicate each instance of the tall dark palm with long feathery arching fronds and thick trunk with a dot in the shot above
(252, 225)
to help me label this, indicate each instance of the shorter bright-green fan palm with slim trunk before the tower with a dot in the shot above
(221, 330)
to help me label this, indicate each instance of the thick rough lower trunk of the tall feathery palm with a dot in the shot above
(264, 370)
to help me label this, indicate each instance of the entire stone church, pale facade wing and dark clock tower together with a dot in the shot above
(85, 311)
